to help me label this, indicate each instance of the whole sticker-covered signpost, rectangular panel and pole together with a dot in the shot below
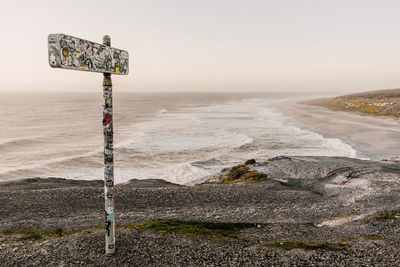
(69, 52)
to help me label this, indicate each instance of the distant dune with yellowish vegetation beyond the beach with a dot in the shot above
(377, 103)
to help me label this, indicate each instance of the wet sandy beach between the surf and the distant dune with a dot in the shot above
(372, 137)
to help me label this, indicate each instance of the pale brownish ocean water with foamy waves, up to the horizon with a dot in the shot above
(180, 137)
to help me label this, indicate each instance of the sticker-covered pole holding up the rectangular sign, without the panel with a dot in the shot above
(108, 159)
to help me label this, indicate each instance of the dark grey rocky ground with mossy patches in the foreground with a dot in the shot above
(287, 211)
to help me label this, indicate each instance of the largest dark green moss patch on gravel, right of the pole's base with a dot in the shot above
(191, 229)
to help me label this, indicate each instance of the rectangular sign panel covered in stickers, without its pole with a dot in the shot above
(77, 54)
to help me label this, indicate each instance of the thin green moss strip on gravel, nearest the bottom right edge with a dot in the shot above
(307, 246)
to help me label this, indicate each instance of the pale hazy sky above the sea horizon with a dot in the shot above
(219, 45)
